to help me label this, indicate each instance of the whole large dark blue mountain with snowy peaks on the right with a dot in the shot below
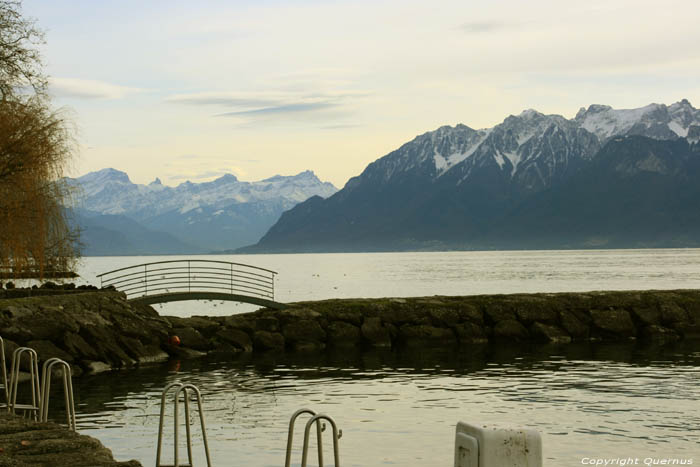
(605, 178)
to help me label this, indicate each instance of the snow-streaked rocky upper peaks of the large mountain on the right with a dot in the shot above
(533, 148)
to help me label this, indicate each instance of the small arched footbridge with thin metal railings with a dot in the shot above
(194, 279)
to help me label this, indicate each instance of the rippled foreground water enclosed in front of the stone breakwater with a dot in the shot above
(400, 408)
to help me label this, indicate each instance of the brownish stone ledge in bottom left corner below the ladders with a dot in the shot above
(24, 442)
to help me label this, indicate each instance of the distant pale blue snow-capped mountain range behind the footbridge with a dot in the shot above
(118, 217)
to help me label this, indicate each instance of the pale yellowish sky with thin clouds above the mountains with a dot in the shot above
(193, 90)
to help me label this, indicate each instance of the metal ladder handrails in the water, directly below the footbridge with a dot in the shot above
(184, 389)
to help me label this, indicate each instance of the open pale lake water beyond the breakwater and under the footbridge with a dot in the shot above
(350, 275)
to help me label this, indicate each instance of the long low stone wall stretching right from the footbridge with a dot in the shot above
(658, 316)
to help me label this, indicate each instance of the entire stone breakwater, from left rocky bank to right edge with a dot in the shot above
(96, 331)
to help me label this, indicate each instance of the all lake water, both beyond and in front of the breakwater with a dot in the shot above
(400, 408)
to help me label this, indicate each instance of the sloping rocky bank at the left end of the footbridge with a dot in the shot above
(92, 331)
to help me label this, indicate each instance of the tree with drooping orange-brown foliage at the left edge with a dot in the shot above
(35, 146)
